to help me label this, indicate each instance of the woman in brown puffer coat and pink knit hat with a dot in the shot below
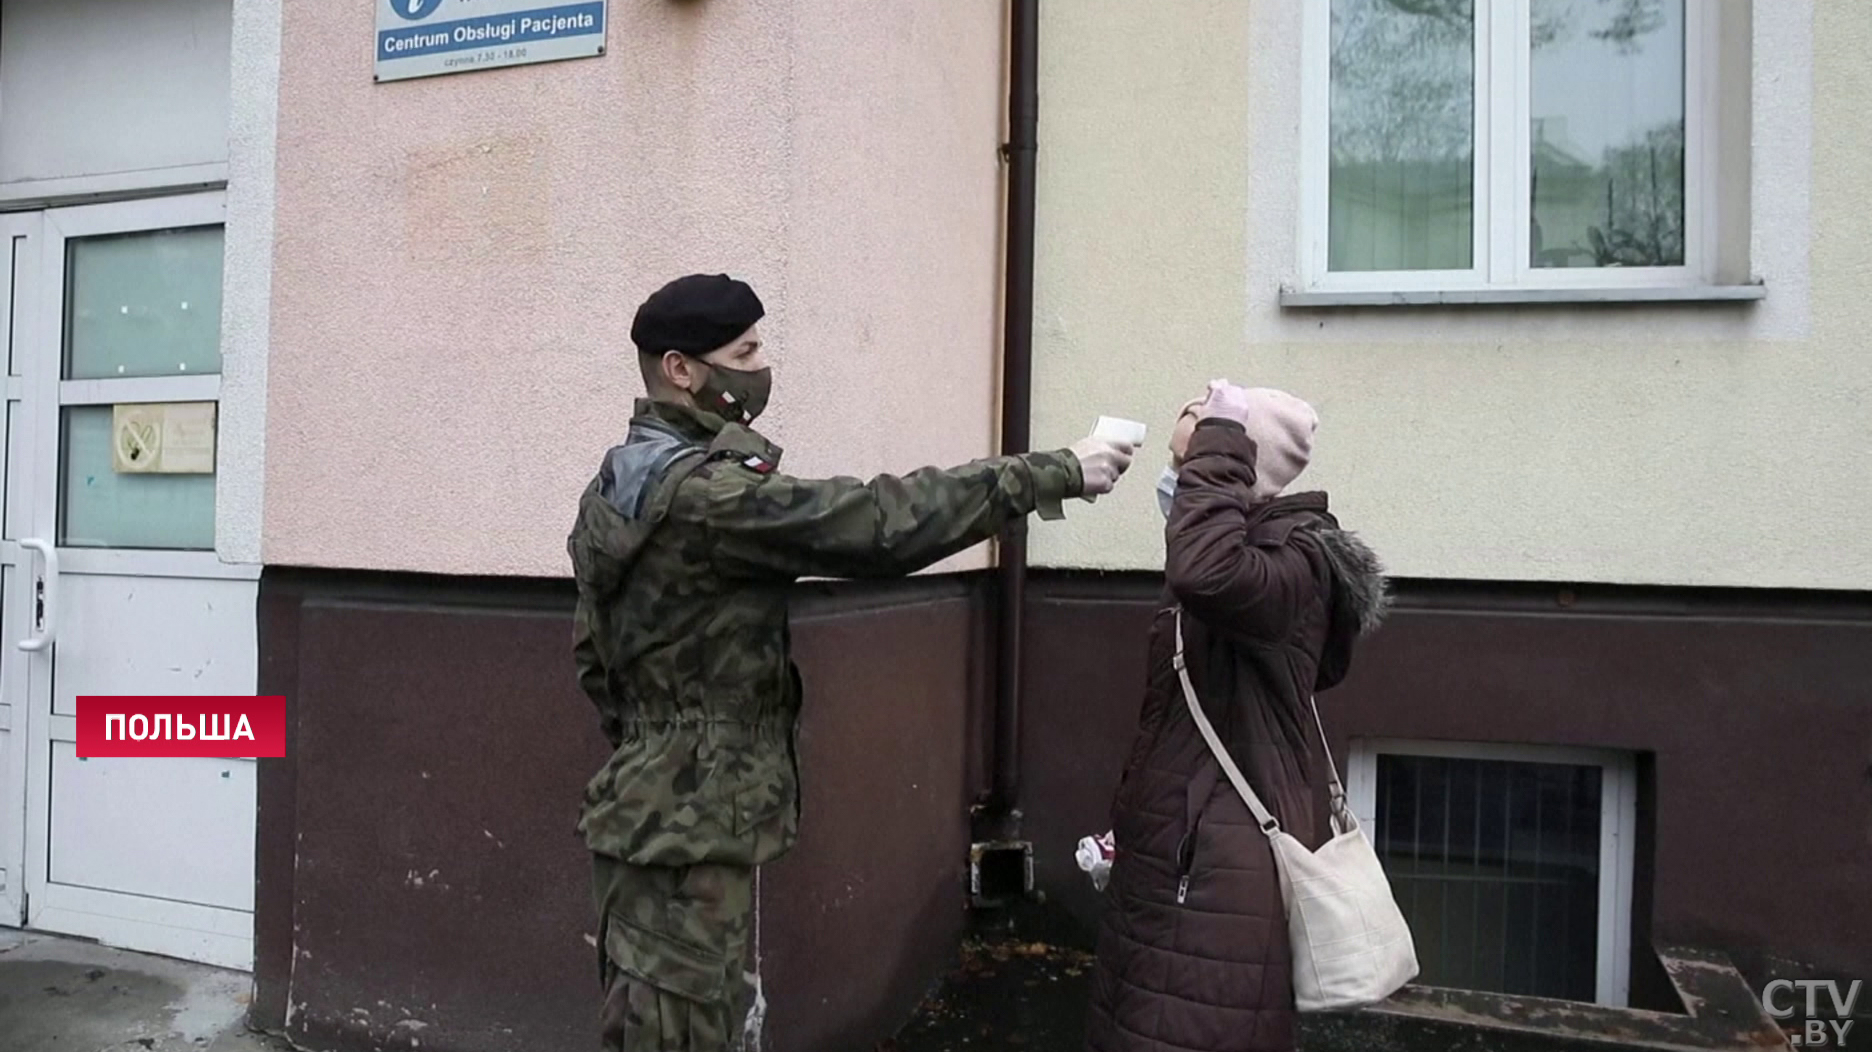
(1193, 950)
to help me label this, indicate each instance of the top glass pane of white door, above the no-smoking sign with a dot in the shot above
(145, 304)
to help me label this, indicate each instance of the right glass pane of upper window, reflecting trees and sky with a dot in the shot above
(1607, 134)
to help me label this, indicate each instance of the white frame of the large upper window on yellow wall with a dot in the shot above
(1504, 139)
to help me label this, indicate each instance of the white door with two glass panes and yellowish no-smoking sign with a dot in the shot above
(113, 581)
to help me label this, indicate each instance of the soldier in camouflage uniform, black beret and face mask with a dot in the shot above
(684, 551)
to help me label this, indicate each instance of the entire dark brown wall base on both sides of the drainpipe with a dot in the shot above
(420, 877)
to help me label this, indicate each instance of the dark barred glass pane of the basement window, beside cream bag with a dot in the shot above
(1497, 869)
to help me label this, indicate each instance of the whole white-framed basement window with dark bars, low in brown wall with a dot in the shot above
(1514, 864)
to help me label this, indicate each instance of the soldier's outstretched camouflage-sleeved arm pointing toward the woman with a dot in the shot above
(780, 527)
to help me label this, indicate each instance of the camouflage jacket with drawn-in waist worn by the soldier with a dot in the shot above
(684, 553)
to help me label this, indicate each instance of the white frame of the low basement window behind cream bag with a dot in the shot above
(1618, 828)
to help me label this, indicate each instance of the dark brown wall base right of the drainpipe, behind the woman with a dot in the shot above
(1753, 712)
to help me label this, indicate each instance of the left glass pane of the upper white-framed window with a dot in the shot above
(1403, 139)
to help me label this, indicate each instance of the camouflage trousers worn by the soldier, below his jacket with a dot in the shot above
(673, 957)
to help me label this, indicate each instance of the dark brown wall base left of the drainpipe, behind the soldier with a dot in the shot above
(420, 877)
